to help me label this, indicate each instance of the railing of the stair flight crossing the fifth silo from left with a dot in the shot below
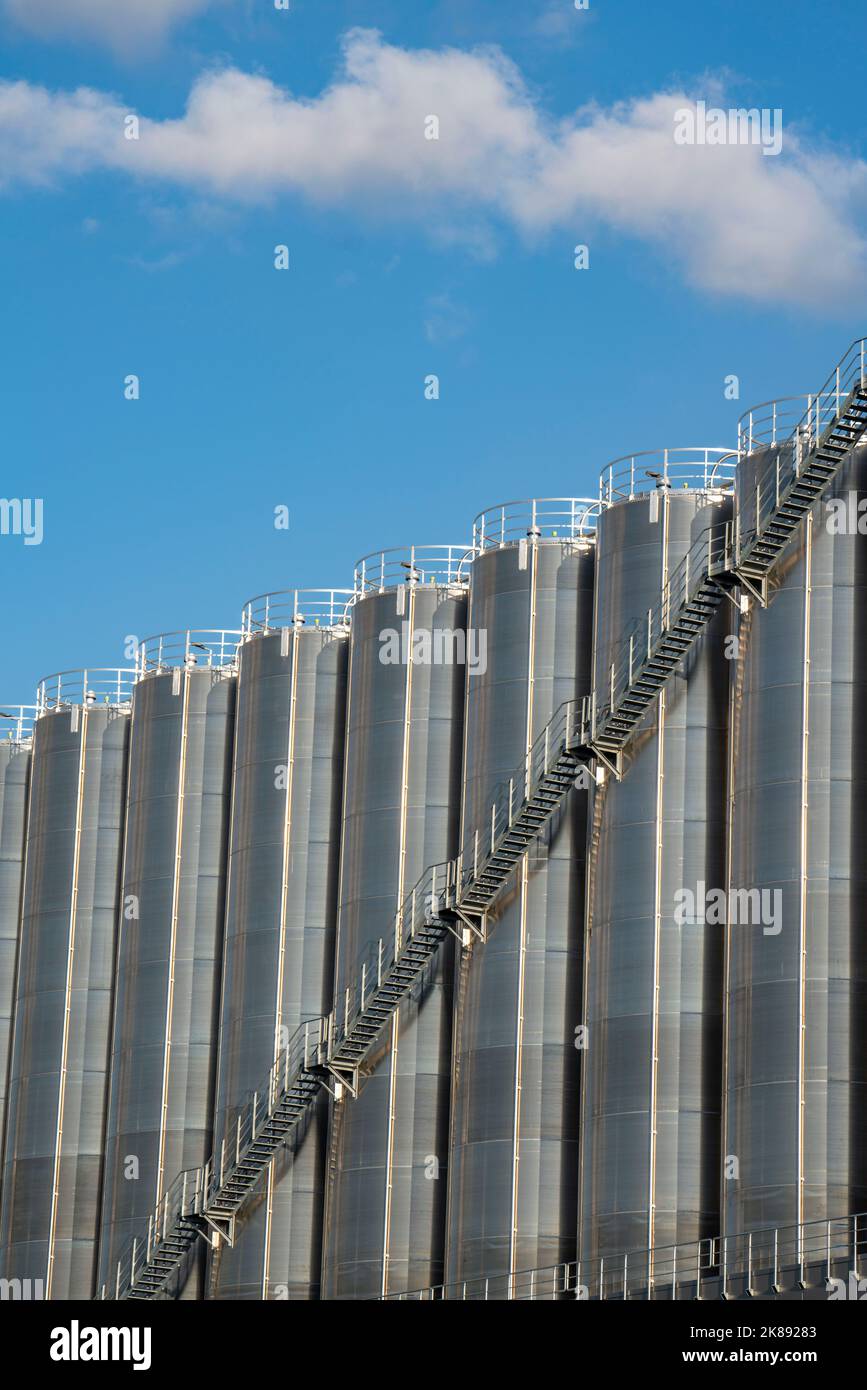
(433, 894)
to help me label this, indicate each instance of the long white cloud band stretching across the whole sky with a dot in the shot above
(729, 219)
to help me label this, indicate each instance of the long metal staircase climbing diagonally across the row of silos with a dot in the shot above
(595, 729)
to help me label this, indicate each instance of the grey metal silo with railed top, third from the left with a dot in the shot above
(170, 946)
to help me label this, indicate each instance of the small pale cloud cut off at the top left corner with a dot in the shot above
(122, 24)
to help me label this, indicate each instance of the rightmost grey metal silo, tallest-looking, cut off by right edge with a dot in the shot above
(795, 1136)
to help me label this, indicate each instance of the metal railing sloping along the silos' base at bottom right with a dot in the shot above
(829, 1256)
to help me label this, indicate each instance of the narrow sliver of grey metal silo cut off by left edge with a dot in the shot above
(16, 733)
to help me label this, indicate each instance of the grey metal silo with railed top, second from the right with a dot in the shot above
(654, 996)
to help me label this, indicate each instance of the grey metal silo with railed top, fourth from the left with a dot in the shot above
(281, 915)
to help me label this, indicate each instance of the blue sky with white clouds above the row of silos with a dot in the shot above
(306, 389)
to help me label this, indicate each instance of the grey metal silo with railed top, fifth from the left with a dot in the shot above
(387, 1174)
